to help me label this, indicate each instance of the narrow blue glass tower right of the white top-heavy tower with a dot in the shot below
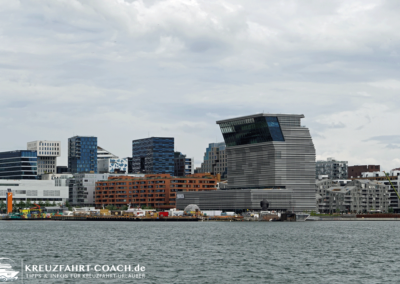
(82, 154)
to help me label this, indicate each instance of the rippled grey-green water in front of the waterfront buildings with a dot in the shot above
(213, 252)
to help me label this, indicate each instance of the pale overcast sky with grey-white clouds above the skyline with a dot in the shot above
(125, 70)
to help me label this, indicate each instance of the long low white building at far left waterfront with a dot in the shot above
(34, 190)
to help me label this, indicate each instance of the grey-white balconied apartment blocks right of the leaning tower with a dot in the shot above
(358, 196)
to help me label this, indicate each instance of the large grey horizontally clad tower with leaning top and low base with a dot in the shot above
(268, 153)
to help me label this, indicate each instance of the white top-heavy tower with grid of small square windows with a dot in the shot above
(47, 153)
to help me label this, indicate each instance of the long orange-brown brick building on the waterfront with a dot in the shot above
(157, 191)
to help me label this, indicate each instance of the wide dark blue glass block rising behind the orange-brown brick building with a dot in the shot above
(153, 155)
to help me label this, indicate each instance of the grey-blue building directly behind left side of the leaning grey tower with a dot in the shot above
(215, 160)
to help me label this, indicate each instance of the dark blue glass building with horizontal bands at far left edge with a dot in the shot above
(18, 165)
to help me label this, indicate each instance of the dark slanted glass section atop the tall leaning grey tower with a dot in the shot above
(251, 131)
